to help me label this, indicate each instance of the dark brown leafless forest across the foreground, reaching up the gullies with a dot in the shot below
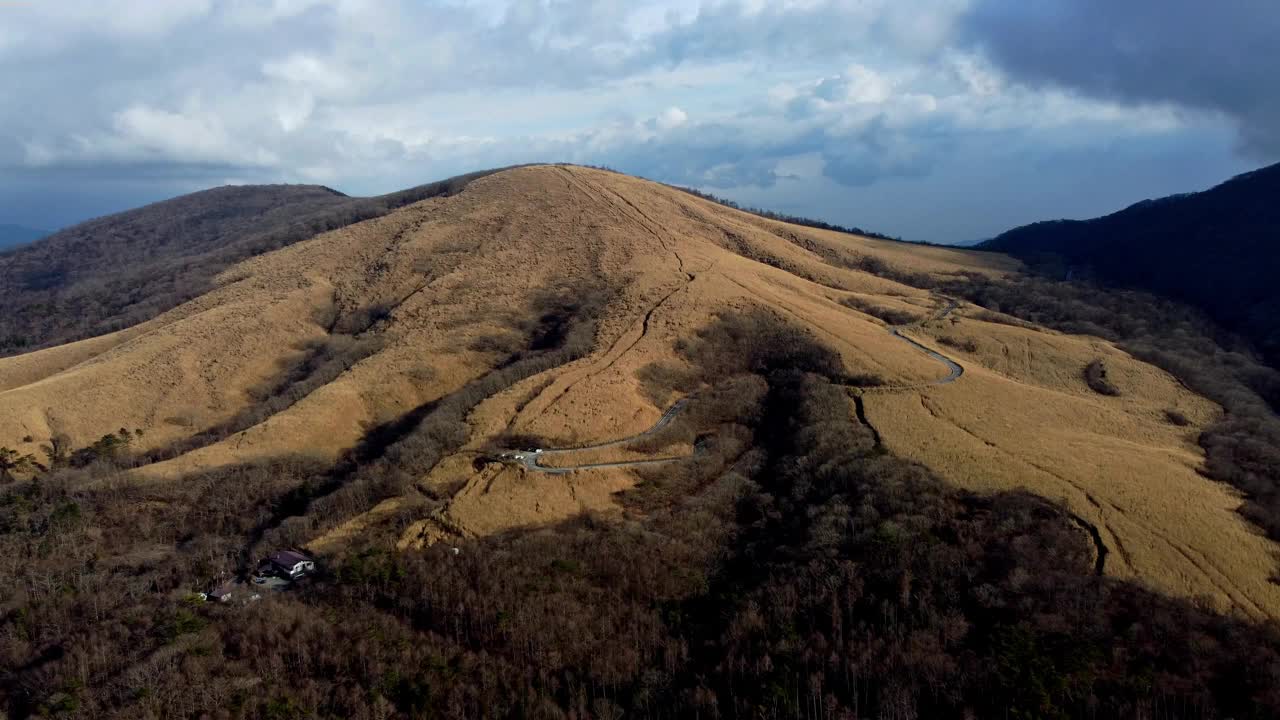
(793, 569)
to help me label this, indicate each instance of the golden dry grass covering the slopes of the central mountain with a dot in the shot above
(458, 270)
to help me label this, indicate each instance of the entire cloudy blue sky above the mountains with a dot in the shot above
(944, 121)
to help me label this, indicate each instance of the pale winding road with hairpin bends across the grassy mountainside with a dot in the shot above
(532, 461)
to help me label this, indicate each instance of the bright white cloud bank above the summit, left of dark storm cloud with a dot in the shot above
(376, 94)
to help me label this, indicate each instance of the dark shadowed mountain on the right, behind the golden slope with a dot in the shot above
(1218, 250)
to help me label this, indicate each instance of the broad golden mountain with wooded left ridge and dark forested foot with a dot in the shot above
(569, 444)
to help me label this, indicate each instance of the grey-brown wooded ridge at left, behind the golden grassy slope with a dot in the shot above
(115, 272)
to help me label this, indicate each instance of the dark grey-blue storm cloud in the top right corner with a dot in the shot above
(1219, 56)
